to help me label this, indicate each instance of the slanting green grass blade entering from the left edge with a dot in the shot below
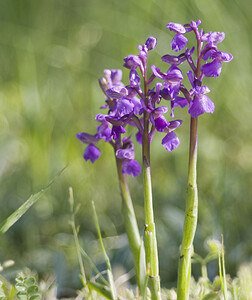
(14, 217)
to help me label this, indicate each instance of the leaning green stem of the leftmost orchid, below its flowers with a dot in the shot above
(132, 230)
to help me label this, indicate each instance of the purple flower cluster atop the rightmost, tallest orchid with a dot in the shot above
(207, 49)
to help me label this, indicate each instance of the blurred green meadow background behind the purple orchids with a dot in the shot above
(52, 53)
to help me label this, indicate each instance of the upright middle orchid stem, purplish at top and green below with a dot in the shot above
(150, 232)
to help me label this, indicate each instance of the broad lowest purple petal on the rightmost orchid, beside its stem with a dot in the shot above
(201, 104)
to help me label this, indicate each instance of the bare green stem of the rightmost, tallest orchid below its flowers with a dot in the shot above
(191, 215)
